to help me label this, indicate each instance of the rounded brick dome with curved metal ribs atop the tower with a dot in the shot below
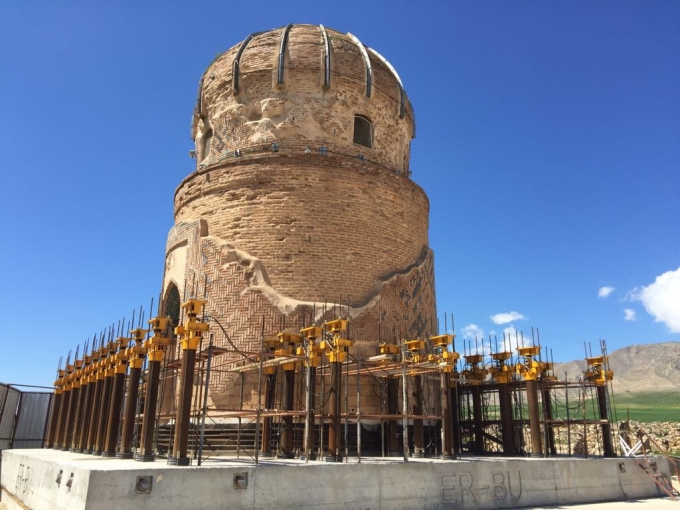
(298, 63)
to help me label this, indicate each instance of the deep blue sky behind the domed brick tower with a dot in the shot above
(548, 143)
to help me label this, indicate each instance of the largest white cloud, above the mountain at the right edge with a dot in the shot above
(661, 299)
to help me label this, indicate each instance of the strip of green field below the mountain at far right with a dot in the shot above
(648, 407)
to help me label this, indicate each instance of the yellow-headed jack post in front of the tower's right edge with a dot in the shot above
(446, 359)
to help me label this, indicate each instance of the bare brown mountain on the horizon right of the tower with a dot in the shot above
(637, 368)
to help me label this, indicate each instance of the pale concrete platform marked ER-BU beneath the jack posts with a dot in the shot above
(48, 479)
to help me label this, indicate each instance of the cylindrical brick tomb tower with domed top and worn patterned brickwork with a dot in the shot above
(302, 199)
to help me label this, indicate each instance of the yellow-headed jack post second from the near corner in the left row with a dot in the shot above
(154, 348)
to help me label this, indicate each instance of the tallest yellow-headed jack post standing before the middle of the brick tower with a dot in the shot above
(335, 348)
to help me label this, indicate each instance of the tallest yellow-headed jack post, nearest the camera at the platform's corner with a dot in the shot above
(190, 336)
